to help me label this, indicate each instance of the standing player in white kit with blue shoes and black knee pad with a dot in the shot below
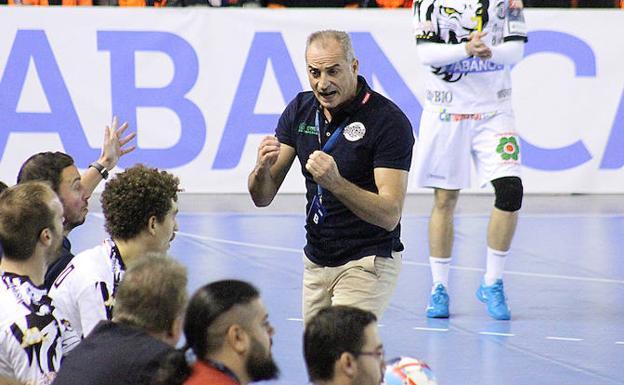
(466, 48)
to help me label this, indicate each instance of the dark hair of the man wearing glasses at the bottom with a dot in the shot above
(332, 331)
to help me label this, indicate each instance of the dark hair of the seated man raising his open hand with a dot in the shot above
(45, 166)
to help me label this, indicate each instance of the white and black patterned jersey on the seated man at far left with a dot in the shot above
(34, 336)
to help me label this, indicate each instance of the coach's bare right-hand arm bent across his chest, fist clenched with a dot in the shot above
(382, 209)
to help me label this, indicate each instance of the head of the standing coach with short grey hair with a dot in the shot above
(332, 68)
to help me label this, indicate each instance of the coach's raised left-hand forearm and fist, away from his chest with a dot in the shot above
(273, 162)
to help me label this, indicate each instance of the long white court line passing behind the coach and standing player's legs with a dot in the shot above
(421, 264)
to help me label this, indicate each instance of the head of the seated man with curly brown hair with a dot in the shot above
(142, 201)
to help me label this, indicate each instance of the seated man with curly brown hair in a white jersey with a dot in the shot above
(140, 207)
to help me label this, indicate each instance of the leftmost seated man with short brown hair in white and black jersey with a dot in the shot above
(34, 336)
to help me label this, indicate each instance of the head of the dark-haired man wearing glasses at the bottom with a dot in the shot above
(341, 344)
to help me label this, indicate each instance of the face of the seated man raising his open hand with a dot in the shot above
(73, 197)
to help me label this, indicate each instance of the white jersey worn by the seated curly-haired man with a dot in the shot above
(85, 290)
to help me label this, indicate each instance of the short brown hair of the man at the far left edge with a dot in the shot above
(24, 213)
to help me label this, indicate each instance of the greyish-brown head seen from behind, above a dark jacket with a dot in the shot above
(152, 296)
